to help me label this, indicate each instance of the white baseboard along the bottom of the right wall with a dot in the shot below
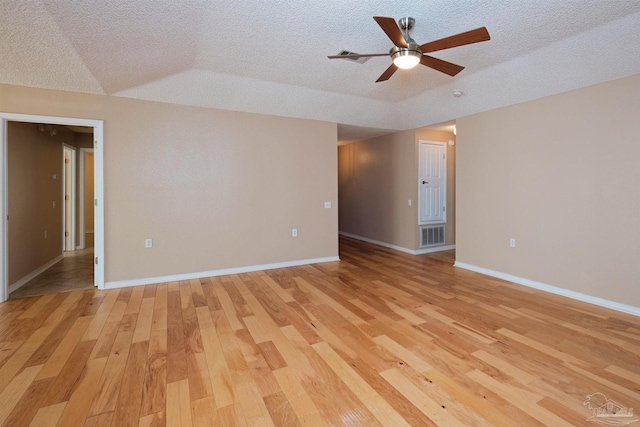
(553, 289)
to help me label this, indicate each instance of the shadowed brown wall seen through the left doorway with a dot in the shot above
(33, 157)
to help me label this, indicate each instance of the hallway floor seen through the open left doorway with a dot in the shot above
(74, 272)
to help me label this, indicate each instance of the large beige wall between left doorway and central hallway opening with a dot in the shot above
(214, 189)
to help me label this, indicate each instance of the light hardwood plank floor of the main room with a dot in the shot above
(379, 338)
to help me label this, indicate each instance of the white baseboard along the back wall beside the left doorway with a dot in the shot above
(222, 272)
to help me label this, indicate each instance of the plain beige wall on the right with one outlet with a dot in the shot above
(560, 175)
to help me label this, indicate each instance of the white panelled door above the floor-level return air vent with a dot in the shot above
(433, 182)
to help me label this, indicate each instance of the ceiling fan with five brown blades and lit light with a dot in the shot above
(406, 53)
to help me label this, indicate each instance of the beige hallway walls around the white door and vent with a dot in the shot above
(377, 177)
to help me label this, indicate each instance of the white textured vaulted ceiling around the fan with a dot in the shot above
(270, 57)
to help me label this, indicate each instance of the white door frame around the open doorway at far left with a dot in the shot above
(98, 183)
